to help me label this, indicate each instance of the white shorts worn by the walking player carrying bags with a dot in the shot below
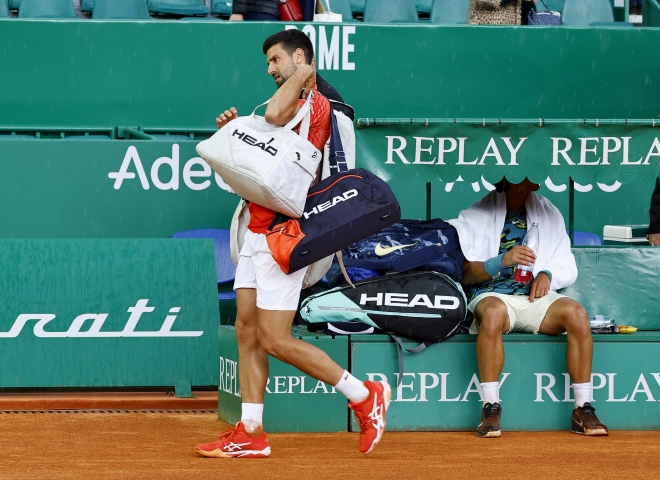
(257, 269)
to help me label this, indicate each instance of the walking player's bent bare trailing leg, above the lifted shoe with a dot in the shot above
(274, 334)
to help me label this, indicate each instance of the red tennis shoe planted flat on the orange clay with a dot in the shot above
(235, 442)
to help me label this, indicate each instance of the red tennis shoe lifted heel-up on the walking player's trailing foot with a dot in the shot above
(370, 413)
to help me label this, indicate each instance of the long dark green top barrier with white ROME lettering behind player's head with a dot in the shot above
(180, 74)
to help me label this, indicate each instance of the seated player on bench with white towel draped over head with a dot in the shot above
(491, 233)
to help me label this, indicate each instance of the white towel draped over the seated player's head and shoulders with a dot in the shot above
(480, 227)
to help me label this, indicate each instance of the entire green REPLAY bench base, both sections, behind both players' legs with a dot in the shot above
(440, 389)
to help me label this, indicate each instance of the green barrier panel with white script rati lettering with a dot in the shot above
(108, 313)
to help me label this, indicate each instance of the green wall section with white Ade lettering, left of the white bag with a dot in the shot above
(60, 188)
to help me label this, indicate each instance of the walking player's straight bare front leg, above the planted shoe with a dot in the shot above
(252, 360)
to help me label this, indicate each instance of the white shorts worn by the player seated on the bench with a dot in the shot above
(524, 316)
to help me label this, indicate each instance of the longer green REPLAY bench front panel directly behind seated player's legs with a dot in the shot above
(440, 389)
